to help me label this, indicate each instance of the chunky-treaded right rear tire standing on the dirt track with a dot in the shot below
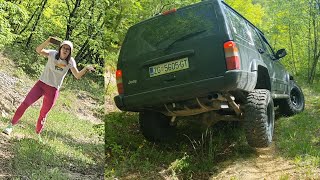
(259, 118)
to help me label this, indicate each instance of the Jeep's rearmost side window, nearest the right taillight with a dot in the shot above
(238, 25)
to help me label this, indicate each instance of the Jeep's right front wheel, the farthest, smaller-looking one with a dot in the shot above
(295, 103)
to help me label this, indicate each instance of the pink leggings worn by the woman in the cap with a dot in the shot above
(39, 89)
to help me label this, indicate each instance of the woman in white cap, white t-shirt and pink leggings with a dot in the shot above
(50, 81)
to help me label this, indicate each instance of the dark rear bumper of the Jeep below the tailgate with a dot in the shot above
(230, 81)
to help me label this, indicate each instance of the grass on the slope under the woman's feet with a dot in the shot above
(69, 145)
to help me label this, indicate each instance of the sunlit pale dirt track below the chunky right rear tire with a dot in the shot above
(267, 165)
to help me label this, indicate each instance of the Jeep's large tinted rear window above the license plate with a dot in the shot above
(162, 31)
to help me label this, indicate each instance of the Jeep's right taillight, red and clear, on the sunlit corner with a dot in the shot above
(232, 55)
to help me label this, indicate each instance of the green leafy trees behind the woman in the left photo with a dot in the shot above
(86, 28)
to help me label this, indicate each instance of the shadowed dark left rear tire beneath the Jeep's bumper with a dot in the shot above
(155, 126)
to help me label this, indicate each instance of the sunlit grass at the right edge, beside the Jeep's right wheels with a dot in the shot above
(298, 137)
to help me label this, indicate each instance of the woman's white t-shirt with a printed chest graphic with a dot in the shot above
(55, 70)
